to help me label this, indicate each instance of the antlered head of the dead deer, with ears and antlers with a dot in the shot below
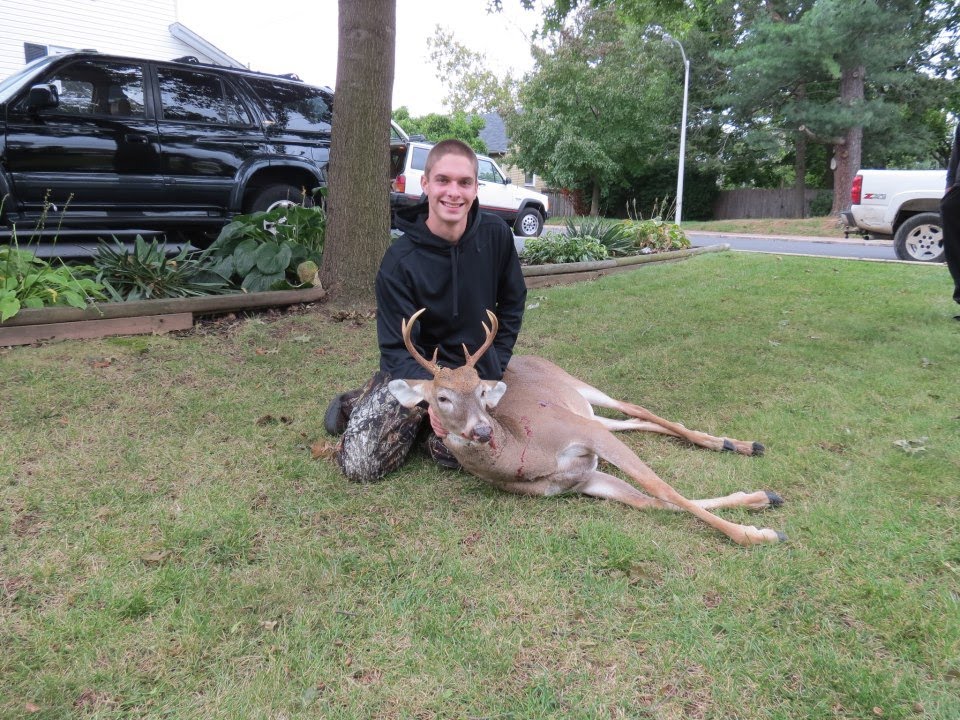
(458, 397)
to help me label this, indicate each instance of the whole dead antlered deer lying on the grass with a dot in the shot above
(535, 433)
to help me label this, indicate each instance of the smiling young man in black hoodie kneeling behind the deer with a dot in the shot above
(457, 263)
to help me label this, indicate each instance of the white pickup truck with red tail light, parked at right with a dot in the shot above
(904, 204)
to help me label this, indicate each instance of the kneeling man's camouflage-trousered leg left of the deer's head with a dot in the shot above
(379, 433)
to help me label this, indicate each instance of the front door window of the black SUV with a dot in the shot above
(99, 88)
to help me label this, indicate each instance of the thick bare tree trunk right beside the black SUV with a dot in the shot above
(358, 202)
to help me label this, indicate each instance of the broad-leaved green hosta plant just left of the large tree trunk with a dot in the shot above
(263, 251)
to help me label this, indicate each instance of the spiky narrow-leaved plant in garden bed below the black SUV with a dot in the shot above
(148, 273)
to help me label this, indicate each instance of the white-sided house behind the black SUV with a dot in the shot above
(147, 29)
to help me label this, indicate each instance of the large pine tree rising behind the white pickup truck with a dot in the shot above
(829, 71)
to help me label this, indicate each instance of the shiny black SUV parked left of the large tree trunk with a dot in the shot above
(145, 144)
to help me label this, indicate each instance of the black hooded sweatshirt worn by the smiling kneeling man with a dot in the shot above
(456, 283)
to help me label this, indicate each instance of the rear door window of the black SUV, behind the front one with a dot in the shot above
(193, 96)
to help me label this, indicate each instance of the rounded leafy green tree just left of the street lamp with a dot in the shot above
(593, 111)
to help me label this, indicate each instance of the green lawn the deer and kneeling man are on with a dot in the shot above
(171, 548)
